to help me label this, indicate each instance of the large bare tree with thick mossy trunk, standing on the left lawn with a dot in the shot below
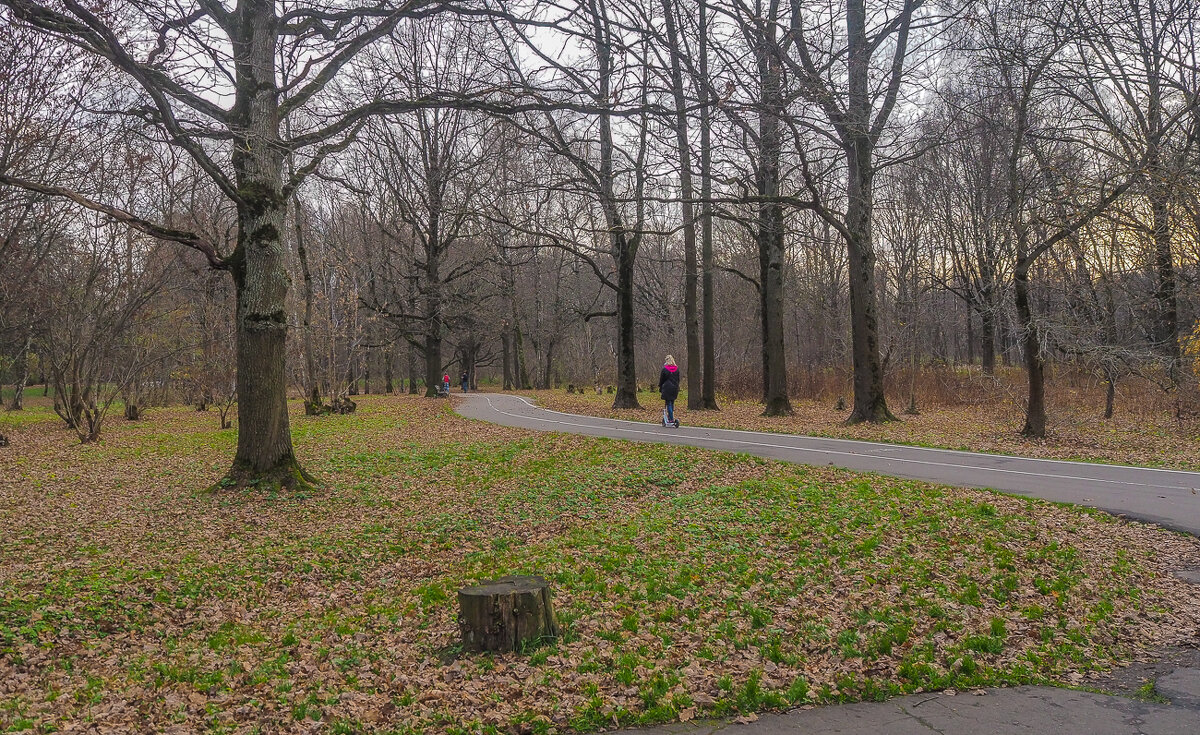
(177, 55)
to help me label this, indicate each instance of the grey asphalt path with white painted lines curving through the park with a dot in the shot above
(1168, 498)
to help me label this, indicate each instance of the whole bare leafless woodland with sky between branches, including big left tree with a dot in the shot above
(227, 202)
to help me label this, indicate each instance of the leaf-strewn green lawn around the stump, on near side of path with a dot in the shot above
(689, 583)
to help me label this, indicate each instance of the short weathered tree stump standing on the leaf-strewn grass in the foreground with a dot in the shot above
(506, 614)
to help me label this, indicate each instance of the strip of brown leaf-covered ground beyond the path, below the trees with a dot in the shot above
(1142, 438)
